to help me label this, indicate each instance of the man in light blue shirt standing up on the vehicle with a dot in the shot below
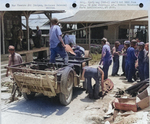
(57, 45)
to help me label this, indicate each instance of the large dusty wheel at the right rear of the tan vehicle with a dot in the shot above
(65, 96)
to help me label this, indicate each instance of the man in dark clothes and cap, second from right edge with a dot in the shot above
(141, 60)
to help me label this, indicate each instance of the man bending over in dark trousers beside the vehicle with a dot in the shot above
(96, 74)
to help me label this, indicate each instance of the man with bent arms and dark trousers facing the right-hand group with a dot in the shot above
(116, 54)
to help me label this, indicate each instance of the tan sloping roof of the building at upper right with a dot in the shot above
(93, 16)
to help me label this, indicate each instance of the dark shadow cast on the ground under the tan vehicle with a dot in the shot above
(40, 106)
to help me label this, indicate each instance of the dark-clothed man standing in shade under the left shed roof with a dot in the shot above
(38, 37)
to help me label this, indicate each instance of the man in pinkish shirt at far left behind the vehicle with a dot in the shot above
(14, 58)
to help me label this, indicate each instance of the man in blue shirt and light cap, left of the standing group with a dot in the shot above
(106, 58)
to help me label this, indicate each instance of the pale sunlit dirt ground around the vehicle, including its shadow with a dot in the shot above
(81, 110)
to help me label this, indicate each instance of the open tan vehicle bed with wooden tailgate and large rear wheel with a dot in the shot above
(50, 79)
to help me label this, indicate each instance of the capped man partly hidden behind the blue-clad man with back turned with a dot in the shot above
(124, 53)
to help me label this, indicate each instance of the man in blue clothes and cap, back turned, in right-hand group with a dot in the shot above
(130, 61)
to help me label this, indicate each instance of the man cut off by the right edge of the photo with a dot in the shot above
(146, 61)
